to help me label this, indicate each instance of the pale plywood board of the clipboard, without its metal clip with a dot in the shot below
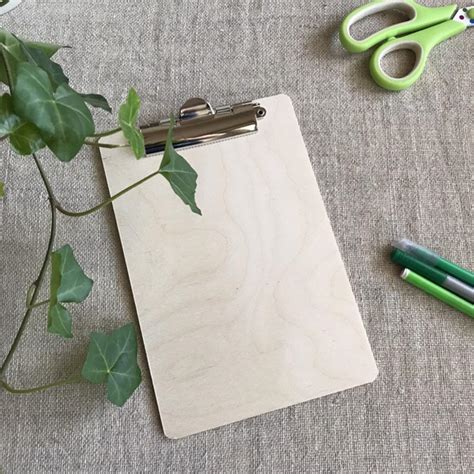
(248, 308)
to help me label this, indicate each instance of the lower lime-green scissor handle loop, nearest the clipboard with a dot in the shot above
(421, 43)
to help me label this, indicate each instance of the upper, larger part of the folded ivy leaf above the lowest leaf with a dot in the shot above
(69, 284)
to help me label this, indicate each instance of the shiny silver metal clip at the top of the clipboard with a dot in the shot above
(198, 122)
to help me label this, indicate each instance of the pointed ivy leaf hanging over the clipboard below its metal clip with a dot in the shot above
(179, 173)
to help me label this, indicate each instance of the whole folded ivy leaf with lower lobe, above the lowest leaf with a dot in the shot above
(68, 284)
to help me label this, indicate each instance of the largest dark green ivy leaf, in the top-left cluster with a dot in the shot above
(61, 116)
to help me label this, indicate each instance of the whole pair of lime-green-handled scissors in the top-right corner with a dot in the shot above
(427, 27)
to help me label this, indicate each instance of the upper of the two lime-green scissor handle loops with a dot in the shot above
(420, 17)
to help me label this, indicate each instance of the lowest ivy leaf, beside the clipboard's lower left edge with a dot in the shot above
(112, 359)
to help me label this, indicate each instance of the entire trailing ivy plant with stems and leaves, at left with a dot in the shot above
(40, 111)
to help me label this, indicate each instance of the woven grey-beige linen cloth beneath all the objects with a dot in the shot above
(388, 165)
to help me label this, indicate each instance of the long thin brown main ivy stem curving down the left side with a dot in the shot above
(39, 280)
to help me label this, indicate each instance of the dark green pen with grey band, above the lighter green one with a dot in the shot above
(433, 274)
